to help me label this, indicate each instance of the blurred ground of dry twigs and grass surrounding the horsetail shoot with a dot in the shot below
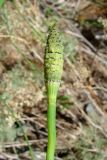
(82, 99)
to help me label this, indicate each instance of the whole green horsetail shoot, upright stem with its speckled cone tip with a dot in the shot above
(53, 62)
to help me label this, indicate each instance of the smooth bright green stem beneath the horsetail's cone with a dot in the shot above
(52, 96)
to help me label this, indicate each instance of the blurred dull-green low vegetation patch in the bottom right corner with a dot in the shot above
(90, 146)
